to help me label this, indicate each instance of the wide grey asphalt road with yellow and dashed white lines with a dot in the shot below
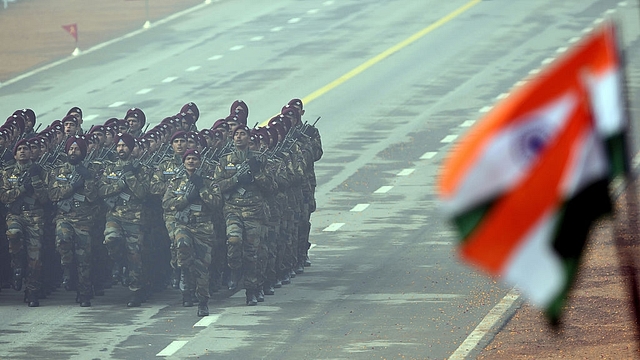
(395, 83)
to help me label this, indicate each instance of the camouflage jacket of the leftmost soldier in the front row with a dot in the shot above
(15, 195)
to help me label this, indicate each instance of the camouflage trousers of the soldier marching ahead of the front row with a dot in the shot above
(193, 244)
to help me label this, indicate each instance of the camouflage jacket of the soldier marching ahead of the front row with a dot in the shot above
(175, 202)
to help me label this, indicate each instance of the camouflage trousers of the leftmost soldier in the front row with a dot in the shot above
(24, 234)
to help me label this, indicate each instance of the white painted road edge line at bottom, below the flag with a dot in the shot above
(490, 321)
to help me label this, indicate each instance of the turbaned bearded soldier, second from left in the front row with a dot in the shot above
(73, 188)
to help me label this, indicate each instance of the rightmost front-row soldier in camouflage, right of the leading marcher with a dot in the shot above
(242, 180)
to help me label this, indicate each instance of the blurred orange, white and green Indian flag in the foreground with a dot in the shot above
(524, 186)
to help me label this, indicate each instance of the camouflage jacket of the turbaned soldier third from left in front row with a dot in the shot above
(125, 193)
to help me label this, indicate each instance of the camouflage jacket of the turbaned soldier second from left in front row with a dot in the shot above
(74, 204)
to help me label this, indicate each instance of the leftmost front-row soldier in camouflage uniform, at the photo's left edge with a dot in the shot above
(23, 192)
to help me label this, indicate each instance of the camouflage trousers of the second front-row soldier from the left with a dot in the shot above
(73, 242)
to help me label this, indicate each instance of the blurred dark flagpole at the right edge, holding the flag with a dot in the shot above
(630, 226)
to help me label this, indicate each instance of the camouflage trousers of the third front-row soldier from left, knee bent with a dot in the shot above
(125, 241)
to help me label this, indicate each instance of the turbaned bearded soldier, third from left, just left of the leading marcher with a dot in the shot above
(124, 186)
